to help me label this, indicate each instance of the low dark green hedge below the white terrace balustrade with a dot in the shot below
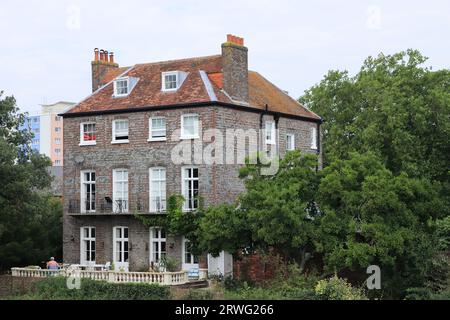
(55, 288)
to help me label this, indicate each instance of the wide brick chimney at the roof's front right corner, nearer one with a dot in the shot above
(235, 68)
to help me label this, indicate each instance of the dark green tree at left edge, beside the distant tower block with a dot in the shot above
(30, 219)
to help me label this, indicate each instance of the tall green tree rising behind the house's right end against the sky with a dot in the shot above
(394, 107)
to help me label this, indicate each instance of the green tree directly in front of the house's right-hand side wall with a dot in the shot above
(276, 212)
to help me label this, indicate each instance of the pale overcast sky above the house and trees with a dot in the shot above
(46, 46)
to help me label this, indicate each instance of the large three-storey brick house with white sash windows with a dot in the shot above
(119, 150)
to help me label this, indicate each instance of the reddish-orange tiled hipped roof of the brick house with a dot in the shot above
(147, 92)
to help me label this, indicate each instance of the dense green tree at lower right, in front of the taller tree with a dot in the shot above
(374, 217)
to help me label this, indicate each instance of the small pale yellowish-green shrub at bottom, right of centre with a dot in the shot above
(337, 289)
